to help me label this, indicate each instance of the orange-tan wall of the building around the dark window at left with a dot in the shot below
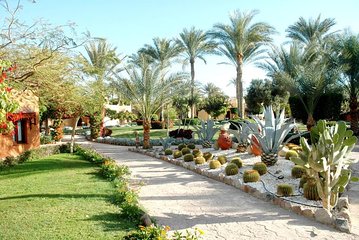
(28, 104)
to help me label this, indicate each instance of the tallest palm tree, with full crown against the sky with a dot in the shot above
(241, 42)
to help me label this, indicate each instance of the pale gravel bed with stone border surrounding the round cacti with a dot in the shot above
(266, 188)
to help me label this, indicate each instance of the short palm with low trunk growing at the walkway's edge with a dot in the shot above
(148, 89)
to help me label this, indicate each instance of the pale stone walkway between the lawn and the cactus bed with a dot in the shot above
(182, 200)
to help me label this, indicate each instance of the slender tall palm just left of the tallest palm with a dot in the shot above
(195, 44)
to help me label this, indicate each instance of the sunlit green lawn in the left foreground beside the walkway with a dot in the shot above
(58, 197)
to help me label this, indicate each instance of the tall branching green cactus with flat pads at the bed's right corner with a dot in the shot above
(327, 160)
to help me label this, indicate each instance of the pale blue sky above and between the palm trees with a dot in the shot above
(130, 24)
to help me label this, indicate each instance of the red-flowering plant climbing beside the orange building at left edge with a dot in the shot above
(7, 105)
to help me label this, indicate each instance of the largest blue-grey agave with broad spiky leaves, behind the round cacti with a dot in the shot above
(271, 133)
